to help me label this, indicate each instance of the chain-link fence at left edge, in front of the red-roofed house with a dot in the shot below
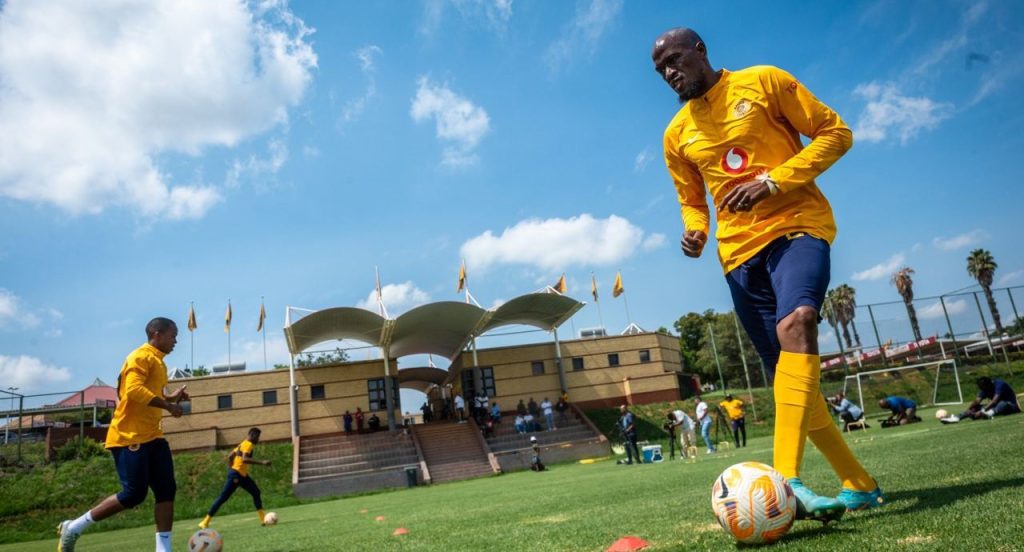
(35, 427)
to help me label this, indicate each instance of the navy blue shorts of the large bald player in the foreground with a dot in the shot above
(789, 273)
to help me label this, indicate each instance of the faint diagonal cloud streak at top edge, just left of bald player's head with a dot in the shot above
(583, 34)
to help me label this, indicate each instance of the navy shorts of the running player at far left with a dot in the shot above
(145, 466)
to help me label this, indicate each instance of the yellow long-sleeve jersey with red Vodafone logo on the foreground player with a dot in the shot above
(747, 125)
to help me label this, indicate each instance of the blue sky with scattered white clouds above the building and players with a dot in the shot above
(154, 154)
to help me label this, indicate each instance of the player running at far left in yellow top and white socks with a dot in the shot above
(137, 442)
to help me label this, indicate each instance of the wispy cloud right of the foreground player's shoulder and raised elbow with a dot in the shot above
(889, 112)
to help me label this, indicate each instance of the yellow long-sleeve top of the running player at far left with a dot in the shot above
(143, 378)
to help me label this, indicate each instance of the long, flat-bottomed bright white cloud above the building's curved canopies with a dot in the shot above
(557, 243)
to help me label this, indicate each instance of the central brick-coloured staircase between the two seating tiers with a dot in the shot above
(453, 451)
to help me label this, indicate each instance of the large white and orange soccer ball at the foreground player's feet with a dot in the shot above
(754, 503)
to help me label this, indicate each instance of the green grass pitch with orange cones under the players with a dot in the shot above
(952, 488)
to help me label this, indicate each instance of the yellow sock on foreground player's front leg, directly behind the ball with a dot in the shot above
(797, 387)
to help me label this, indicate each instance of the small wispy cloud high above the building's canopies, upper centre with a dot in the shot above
(461, 124)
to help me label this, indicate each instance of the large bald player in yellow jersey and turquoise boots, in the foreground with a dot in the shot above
(739, 138)
